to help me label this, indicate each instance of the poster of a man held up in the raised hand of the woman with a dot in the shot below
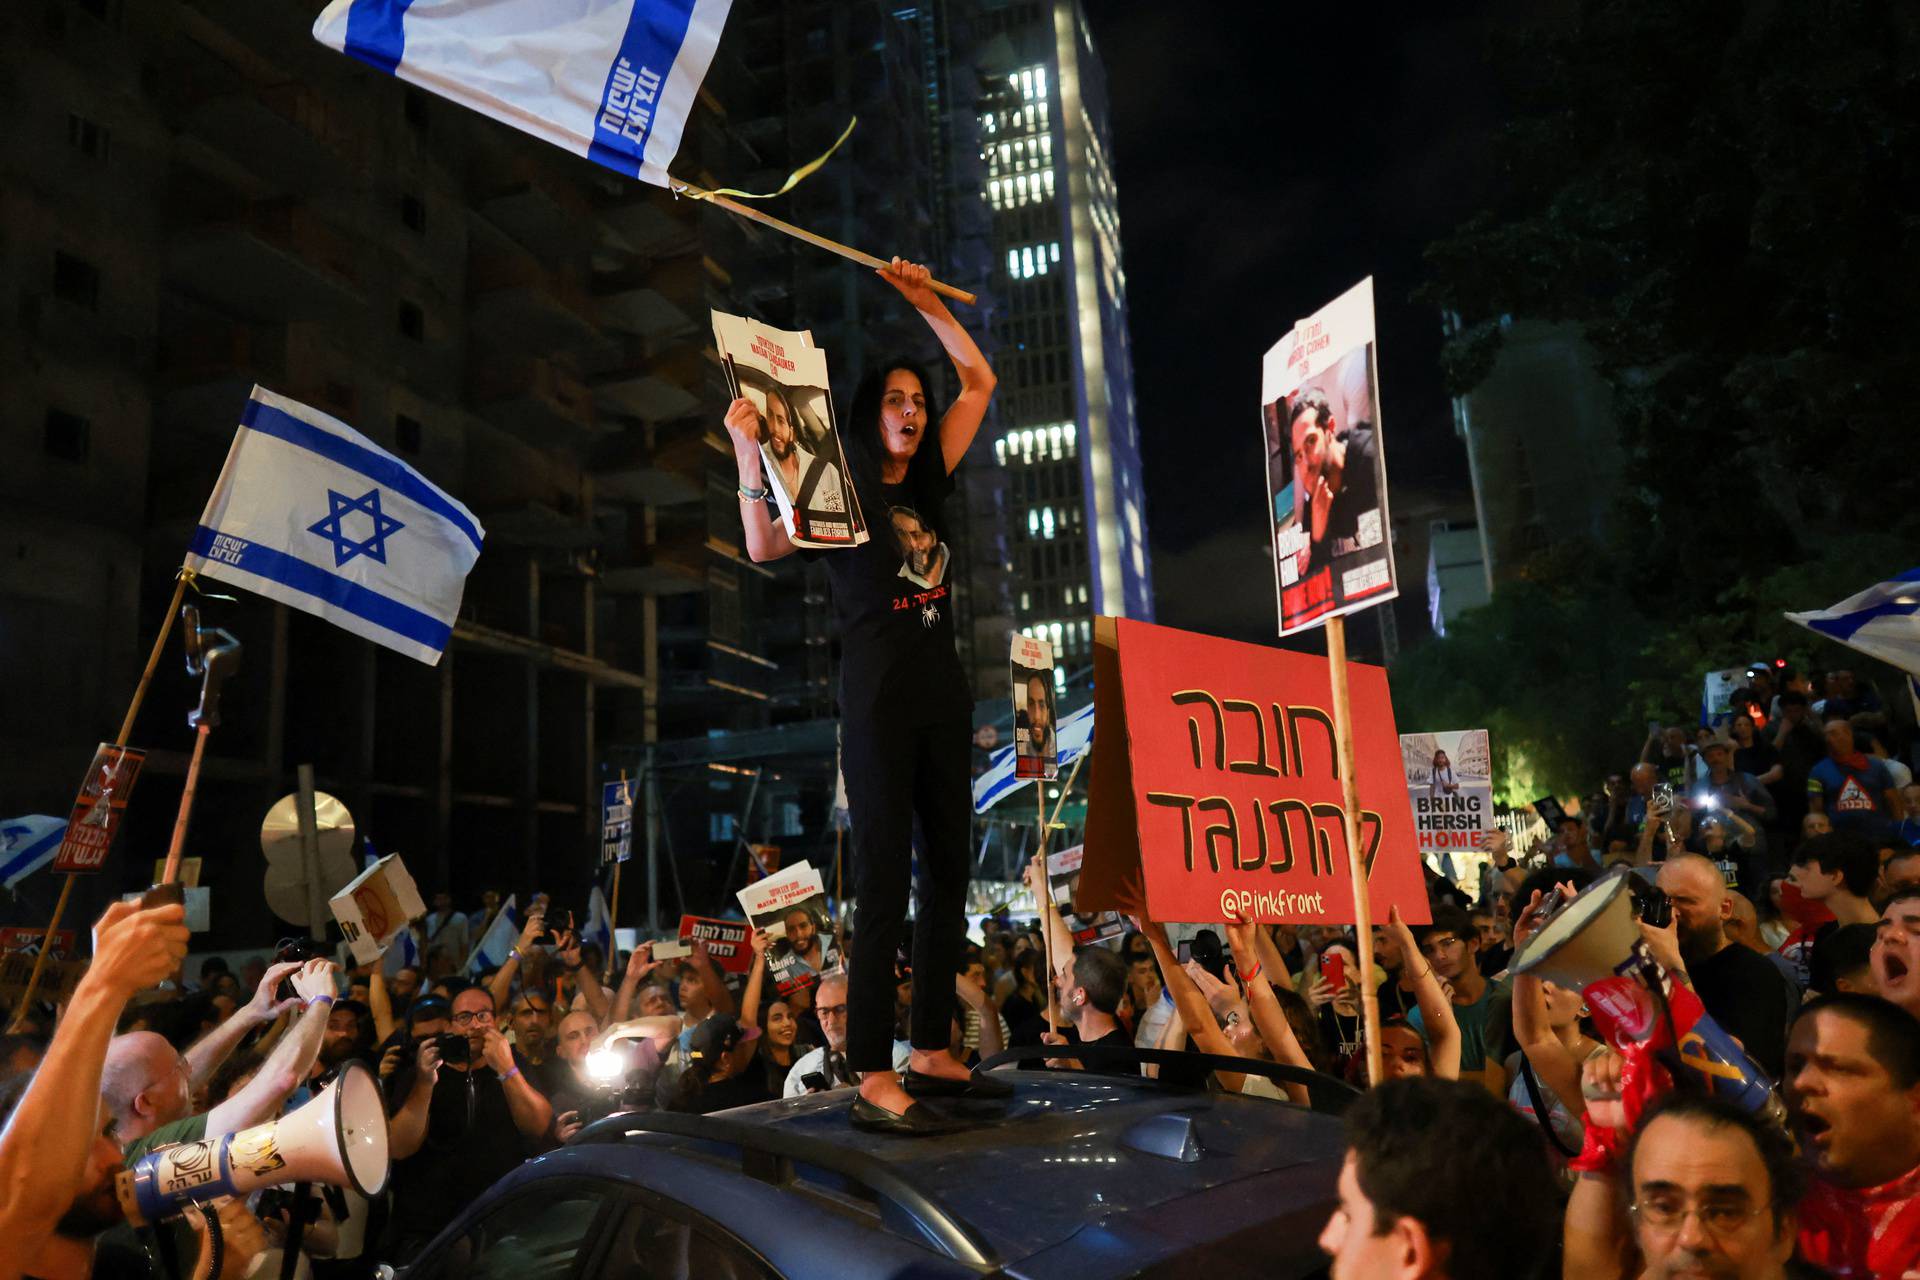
(784, 375)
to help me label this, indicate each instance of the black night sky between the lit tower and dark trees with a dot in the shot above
(1264, 168)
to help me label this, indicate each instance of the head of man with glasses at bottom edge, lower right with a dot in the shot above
(1714, 1193)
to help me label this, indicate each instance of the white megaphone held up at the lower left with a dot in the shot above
(337, 1139)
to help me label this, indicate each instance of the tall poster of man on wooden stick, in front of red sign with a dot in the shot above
(1320, 394)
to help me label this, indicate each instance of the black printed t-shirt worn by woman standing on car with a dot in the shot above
(894, 600)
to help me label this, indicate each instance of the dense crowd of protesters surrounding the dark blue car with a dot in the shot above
(1497, 1145)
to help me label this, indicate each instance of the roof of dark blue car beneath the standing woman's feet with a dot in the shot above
(1026, 1175)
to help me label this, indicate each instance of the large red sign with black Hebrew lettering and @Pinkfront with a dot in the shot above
(1216, 784)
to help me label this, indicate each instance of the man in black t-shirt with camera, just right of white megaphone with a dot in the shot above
(469, 1118)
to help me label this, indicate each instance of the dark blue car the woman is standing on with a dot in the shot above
(1080, 1177)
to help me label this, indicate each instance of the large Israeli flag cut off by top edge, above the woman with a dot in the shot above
(608, 80)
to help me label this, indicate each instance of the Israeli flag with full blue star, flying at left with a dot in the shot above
(314, 515)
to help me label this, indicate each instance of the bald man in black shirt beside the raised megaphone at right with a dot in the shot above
(1744, 993)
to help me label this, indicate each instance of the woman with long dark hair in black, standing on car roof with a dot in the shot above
(905, 705)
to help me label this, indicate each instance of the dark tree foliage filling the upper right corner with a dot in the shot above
(1725, 199)
